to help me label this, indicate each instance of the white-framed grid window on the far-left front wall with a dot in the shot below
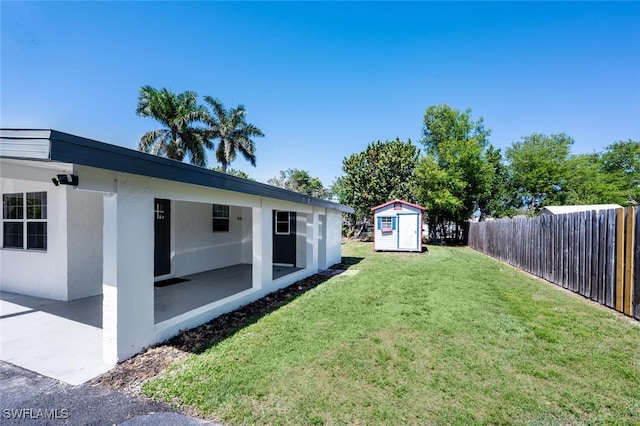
(24, 221)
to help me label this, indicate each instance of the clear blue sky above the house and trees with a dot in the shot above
(323, 79)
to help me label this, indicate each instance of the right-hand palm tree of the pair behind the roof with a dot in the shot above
(233, 131)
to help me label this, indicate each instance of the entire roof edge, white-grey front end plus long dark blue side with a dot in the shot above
(55, 146)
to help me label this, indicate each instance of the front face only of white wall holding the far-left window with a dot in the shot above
(33, 272)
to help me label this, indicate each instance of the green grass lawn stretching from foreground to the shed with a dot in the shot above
(445, 337)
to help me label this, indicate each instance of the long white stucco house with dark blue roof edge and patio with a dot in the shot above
(84, 219)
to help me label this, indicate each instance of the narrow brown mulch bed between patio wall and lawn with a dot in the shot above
(129, 375)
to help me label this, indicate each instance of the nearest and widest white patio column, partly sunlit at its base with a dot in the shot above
(128, 247)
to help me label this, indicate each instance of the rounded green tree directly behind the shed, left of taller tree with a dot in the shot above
(382, 172)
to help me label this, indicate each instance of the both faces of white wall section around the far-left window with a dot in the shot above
(71, 267)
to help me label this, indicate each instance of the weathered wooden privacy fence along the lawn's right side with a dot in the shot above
(595, 253)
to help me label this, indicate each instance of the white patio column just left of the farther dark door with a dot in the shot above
(262, 246)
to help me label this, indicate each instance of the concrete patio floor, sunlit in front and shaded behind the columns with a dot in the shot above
(64, 340)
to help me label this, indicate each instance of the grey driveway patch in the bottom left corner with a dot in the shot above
(27, 398)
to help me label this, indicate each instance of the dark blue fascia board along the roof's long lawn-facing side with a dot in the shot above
(69, 148)
